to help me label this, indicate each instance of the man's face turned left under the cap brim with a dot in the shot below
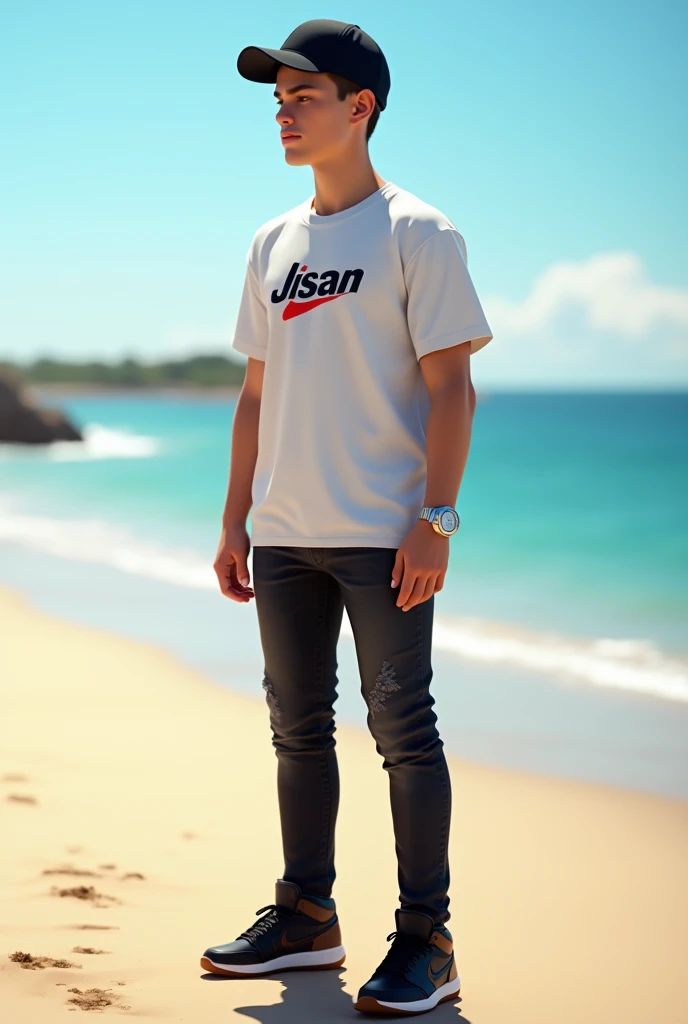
(315, 124)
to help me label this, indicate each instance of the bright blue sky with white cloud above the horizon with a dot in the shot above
(138, 164)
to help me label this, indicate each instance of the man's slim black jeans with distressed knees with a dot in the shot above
(300, 595)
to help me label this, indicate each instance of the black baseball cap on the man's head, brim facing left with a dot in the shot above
(323, 46)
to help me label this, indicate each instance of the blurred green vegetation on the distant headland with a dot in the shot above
(198, 371)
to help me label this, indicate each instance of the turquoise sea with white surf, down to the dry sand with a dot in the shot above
(561, 642)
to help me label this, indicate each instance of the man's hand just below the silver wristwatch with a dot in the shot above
(421, 565)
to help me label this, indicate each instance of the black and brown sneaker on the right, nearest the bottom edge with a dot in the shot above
(418, 972)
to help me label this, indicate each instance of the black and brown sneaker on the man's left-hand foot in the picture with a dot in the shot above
(298, 932)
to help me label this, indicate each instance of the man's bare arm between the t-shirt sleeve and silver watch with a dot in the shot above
(448, 376)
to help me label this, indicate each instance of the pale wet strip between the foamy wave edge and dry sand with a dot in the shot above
(502, 716)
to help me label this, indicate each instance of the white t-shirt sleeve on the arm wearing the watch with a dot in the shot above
(444, 309)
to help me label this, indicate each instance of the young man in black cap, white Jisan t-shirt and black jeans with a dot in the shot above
(350, 441)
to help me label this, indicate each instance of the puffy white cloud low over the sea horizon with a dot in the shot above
(600, 321)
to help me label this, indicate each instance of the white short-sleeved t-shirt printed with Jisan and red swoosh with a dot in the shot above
(341, 309)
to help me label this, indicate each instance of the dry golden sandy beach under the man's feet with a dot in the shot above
(140, 822)
